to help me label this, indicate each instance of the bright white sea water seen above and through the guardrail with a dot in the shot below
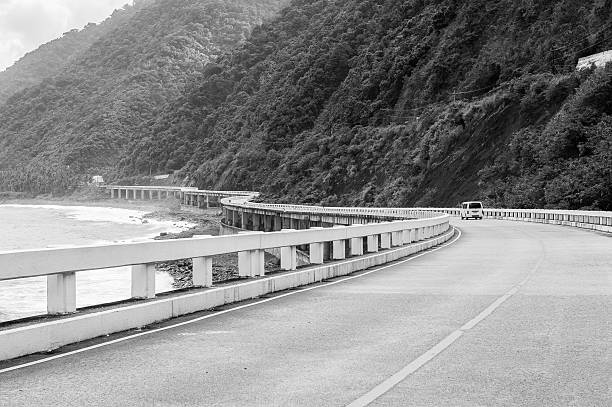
(46, 226)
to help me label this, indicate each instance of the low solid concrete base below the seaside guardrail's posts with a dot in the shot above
(50, 335)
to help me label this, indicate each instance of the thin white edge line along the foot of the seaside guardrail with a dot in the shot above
(191, 321)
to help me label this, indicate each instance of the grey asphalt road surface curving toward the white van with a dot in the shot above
(544, 338)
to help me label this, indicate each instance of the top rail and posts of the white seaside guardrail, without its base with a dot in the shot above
(60, 265)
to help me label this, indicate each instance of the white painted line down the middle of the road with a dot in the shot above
(422, 360)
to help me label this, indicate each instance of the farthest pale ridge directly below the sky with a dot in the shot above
(51, 58)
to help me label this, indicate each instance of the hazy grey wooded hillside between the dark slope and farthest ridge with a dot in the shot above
(79, 120)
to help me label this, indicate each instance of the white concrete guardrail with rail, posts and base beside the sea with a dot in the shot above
(348, 249)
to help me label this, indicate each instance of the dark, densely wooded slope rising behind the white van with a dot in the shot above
(380, 102)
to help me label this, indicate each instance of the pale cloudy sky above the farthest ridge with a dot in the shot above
(27, 24)
